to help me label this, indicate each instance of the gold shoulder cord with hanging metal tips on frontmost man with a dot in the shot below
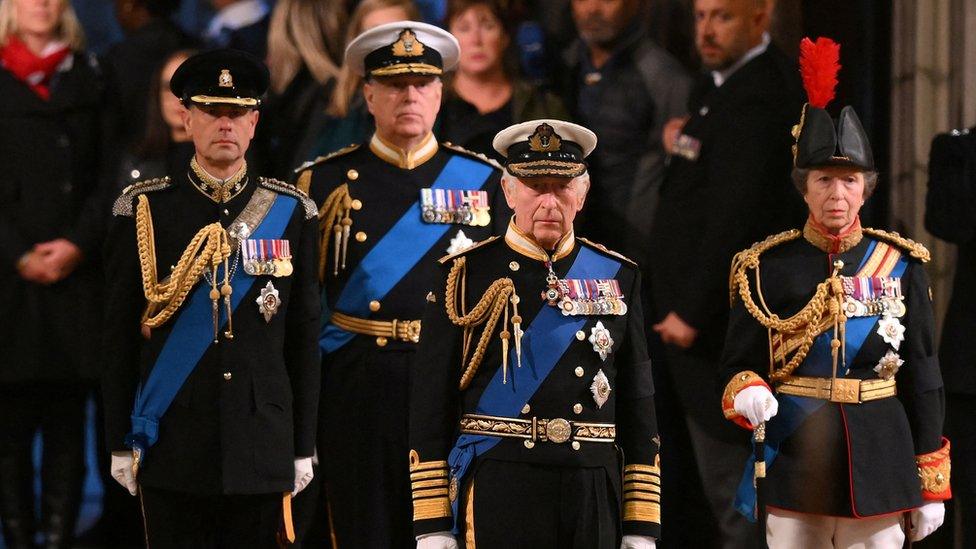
(489, 308)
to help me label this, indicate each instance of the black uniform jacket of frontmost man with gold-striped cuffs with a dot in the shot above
(437, 403)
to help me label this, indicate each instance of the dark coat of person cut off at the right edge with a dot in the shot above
(950, 214)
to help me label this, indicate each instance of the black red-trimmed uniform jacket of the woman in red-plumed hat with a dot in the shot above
(847, 460)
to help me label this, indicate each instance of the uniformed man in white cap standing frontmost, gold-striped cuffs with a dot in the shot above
(534, 351)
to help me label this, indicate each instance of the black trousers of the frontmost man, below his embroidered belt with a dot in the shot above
(521, 505)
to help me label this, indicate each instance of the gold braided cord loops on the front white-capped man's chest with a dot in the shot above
(487, 311)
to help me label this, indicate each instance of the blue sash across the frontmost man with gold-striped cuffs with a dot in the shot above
(543, 344)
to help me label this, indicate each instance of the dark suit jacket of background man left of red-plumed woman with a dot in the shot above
(735, 192)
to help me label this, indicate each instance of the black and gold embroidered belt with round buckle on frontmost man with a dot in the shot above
(557, 430)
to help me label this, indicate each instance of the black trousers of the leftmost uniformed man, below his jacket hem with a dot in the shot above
(191, 521)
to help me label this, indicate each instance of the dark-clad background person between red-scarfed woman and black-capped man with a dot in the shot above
(130, 65)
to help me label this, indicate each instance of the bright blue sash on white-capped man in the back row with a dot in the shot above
(397, 252)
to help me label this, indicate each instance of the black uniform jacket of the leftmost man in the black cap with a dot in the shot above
(249, 407)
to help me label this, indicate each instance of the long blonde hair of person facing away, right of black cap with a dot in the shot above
(303, 32)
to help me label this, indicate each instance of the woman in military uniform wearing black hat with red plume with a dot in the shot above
(837, 321)
